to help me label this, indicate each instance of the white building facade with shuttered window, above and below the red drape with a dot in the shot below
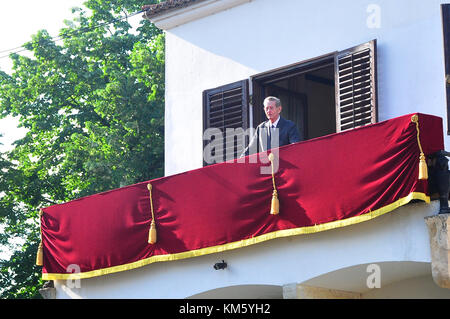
(230, 54)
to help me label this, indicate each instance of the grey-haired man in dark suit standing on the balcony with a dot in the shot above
(274, 132)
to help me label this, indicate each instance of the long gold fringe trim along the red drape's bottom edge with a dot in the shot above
(242, 243)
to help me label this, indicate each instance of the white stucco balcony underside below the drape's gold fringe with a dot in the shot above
(398, 236)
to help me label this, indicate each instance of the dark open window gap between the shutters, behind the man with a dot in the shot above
(307, 95)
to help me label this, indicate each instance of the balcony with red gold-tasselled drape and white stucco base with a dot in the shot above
(339, 207)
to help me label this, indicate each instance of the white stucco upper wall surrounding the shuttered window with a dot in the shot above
(264, 34)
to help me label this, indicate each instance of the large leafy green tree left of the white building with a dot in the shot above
(93, 105)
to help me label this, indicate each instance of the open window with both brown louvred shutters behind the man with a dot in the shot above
(324, 95)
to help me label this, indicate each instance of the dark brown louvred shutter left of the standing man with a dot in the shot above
(227, 107)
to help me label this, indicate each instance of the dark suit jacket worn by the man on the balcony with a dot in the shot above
(287, 132)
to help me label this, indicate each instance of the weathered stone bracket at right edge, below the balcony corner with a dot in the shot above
(438, 227)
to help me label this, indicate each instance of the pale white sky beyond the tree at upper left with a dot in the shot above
(18, 21)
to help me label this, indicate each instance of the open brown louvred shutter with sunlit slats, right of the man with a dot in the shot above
(356, 83)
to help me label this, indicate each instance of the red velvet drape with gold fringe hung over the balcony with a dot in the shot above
(323, 183)
